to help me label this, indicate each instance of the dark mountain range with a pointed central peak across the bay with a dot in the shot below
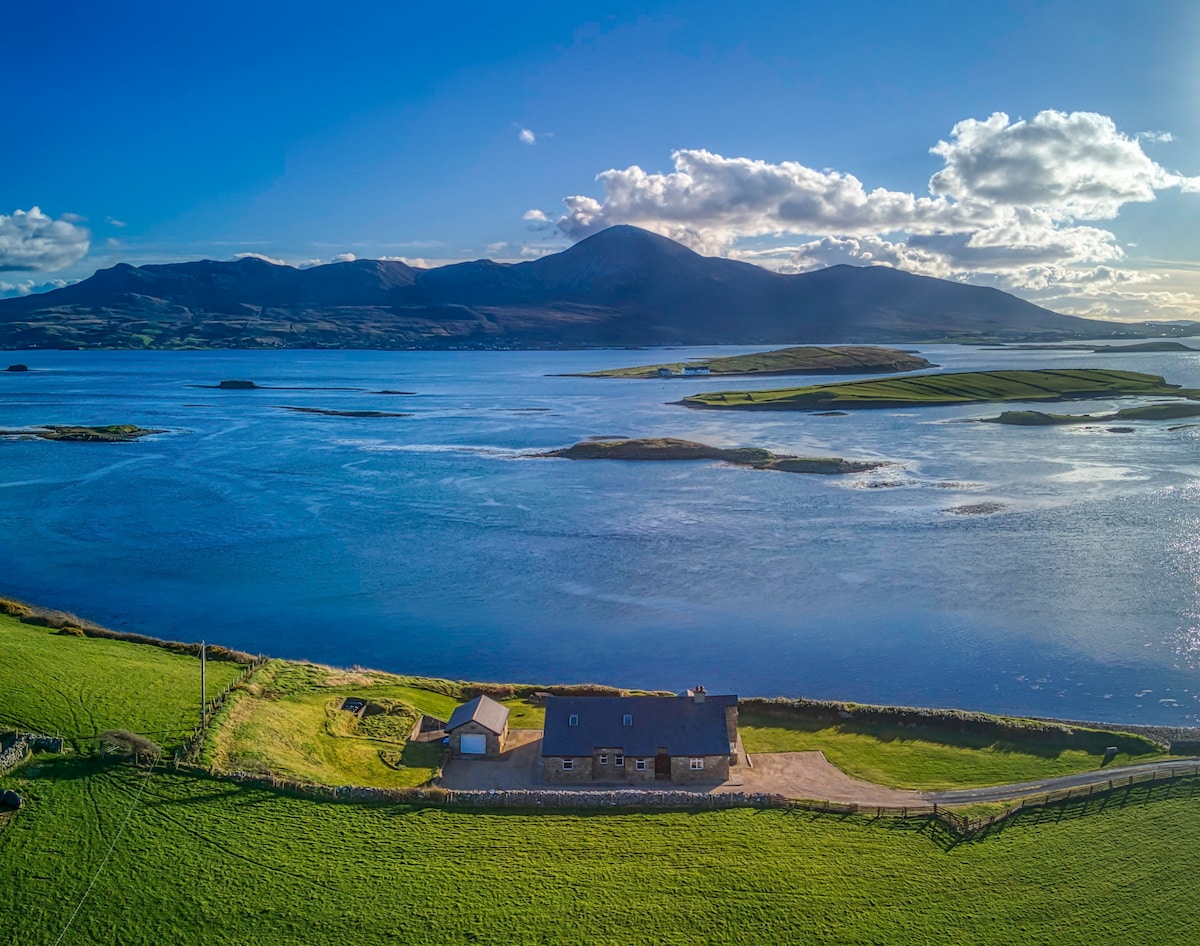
(621, 288)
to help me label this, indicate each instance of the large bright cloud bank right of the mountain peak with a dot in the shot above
(1012, 207)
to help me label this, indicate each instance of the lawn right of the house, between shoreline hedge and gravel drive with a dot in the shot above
(919, 758)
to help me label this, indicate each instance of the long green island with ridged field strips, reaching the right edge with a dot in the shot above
(957, 388)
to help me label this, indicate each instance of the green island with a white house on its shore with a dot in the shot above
(851, 360)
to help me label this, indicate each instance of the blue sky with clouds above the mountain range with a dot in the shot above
(1066, 137)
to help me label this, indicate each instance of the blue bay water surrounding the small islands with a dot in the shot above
(434, 544)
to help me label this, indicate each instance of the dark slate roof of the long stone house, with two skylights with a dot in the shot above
(676, 723)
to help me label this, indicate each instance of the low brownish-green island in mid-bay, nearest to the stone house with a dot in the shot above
(669, 448)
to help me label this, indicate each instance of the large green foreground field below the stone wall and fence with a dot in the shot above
(206, 863)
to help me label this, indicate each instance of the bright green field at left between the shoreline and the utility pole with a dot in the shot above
(80, 687)
